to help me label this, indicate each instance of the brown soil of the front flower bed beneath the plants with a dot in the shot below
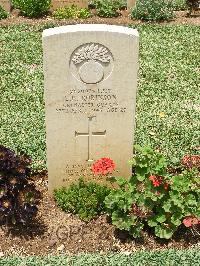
(55, 232)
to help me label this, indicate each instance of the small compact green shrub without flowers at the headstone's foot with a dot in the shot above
(84, 199)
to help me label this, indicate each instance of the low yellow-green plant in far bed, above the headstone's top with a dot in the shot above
(71, 12)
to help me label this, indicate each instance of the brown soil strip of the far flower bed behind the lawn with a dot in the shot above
(124, 19)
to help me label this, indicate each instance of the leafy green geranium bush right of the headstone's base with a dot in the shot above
(153, 196)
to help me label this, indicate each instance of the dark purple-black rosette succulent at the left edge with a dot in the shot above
(17, 194)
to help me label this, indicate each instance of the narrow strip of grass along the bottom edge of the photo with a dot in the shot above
(171, 257)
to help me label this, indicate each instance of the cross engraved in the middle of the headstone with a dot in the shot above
(89, 135)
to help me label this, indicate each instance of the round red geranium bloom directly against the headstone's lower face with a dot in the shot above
(103, 166)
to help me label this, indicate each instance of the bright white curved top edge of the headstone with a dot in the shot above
(90, 28)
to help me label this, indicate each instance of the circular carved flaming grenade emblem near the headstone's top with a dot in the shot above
(91, 63)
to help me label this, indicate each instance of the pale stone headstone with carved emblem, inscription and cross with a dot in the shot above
(90, 76)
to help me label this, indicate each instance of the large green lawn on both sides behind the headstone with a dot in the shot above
(168, 100)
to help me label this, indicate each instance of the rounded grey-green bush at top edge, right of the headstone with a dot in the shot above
(154, 10)
